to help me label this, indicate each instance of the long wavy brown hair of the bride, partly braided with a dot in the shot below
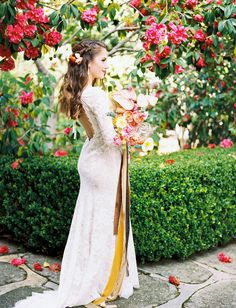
(76, 77)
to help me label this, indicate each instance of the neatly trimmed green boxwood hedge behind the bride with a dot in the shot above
(176, 209)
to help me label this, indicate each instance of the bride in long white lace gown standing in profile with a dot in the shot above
(99, 261)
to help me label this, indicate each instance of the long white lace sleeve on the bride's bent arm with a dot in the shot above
(98, 102)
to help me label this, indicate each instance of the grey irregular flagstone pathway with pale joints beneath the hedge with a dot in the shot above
(205, 282)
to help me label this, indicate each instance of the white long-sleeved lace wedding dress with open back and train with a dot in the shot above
(89, 252)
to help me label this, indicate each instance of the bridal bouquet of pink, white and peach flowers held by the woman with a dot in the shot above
(129, 116)
